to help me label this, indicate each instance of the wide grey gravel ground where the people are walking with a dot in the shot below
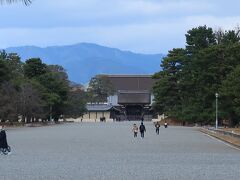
(109, 151)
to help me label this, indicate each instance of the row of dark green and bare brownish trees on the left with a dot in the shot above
(33, 91)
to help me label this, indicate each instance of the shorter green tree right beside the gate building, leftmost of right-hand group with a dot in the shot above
(167, 89)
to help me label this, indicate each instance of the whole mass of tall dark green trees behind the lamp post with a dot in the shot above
(190, 77)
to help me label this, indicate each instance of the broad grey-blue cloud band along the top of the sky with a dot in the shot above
(80, 13)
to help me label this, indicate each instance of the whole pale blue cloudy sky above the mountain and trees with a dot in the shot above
(143, 26)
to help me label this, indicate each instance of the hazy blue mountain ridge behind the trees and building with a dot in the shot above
(83, 61)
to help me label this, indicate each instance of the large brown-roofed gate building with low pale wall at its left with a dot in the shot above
(132, 100)
